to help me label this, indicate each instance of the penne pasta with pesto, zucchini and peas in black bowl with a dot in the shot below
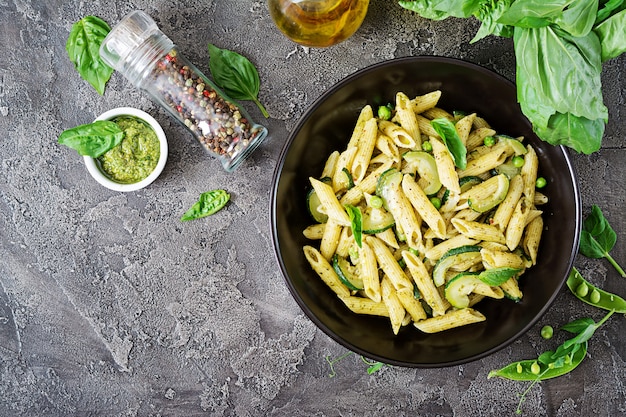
(405, 233)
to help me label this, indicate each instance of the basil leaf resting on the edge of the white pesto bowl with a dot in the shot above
(93, 139)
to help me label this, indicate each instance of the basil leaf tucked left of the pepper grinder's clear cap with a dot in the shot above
(83, 49)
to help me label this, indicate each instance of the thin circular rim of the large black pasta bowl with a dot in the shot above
(275, 238)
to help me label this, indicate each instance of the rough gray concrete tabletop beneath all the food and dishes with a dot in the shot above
(109, 306)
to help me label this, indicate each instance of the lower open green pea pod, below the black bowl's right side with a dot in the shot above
(535, 370)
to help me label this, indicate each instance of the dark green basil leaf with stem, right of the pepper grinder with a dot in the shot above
(236, 75)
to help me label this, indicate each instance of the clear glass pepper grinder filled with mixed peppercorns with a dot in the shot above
(151, 62)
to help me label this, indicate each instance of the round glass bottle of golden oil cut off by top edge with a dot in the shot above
(318, 23)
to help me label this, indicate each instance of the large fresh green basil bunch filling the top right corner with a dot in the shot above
(560, 47)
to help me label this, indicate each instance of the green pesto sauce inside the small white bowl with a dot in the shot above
(136, 156)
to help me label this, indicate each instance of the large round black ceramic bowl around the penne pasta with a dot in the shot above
(326, 127)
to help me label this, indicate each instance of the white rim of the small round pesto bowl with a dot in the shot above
(102, 179)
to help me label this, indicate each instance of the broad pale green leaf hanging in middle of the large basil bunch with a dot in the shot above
(561, 71)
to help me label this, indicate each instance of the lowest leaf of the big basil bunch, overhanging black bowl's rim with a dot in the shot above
(581, 134)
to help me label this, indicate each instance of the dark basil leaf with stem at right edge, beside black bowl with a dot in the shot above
(598, 238)
